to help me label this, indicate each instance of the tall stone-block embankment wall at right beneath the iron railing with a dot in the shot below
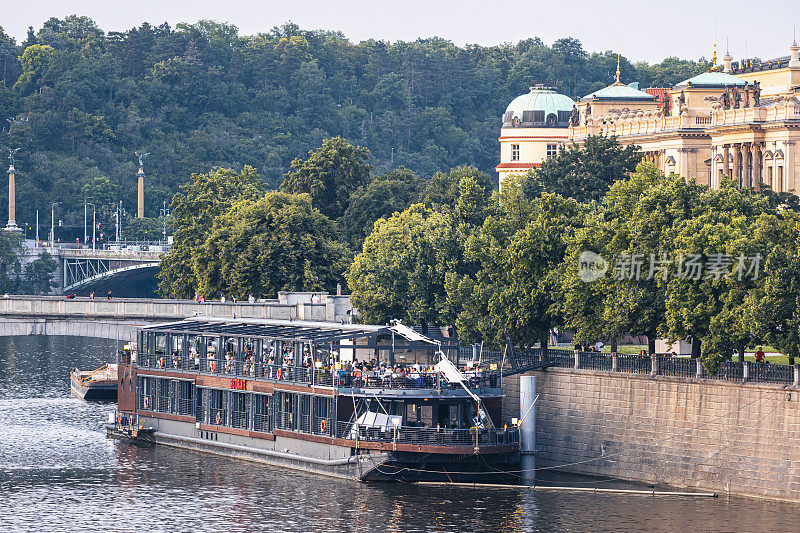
(704, 434)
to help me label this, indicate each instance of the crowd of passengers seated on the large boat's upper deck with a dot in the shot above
(328, 367)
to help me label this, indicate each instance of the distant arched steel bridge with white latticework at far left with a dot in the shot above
(84, 270)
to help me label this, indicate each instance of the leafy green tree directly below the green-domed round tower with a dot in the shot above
(516, 290)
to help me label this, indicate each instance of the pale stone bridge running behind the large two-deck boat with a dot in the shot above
(118, 318)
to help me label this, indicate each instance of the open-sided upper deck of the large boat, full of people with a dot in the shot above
(353, 359)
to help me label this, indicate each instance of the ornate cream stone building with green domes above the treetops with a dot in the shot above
(740, 121)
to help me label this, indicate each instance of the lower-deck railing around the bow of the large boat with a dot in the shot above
(429, 436)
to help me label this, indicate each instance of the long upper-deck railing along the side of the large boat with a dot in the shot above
(322, 376)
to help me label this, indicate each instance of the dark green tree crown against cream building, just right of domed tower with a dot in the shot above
(584, 173)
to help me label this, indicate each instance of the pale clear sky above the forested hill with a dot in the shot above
(641, 30)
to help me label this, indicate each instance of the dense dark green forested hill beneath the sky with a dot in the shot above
(79, 102)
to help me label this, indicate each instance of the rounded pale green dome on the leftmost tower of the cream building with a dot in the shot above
(542, 107)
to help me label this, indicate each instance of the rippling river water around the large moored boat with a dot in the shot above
(59, 472)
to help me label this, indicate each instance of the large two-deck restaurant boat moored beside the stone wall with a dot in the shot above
(316, 396)
